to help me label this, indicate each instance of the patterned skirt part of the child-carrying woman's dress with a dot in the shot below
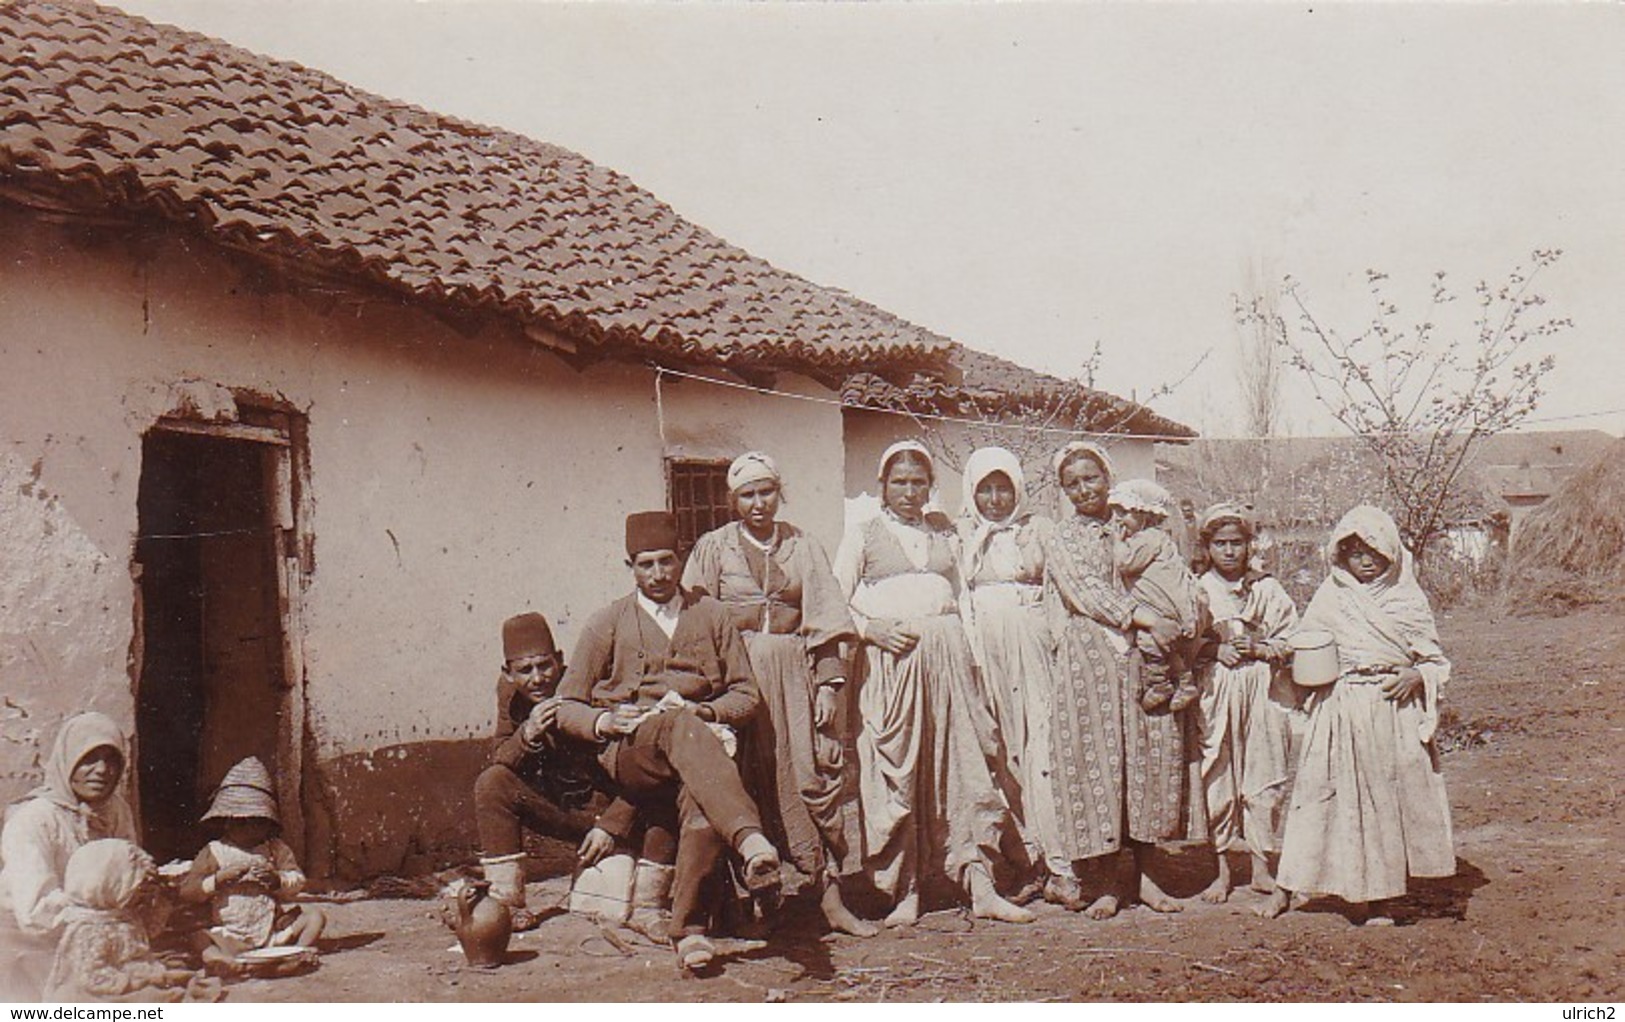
(1120, 773)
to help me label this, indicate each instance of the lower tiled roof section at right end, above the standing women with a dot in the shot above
(981, 384)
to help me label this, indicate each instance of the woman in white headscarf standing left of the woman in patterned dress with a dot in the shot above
(1002, 565)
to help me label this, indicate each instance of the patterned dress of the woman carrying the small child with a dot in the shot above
(1120, 773)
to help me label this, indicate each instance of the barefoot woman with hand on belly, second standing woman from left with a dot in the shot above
(925, 790)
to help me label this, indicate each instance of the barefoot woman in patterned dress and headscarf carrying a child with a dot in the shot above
(1120, 774)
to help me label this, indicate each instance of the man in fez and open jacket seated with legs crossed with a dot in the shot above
(651, 675)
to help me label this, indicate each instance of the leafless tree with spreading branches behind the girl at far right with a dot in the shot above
(1419, 397)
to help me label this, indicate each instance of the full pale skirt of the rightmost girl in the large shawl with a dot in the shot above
(1369, 803)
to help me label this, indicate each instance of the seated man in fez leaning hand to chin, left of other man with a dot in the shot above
(537, 777)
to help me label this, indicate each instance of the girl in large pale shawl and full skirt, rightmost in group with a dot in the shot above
(1369, 807)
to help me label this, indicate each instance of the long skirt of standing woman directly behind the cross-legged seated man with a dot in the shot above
(792, 769)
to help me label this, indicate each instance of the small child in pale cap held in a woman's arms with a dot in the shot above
(1156, 576)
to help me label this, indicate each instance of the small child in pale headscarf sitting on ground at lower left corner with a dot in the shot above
(105, 953)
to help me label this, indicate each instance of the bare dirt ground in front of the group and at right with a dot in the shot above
(1536, 912)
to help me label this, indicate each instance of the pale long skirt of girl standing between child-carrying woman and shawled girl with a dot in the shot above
(1244, 738)
